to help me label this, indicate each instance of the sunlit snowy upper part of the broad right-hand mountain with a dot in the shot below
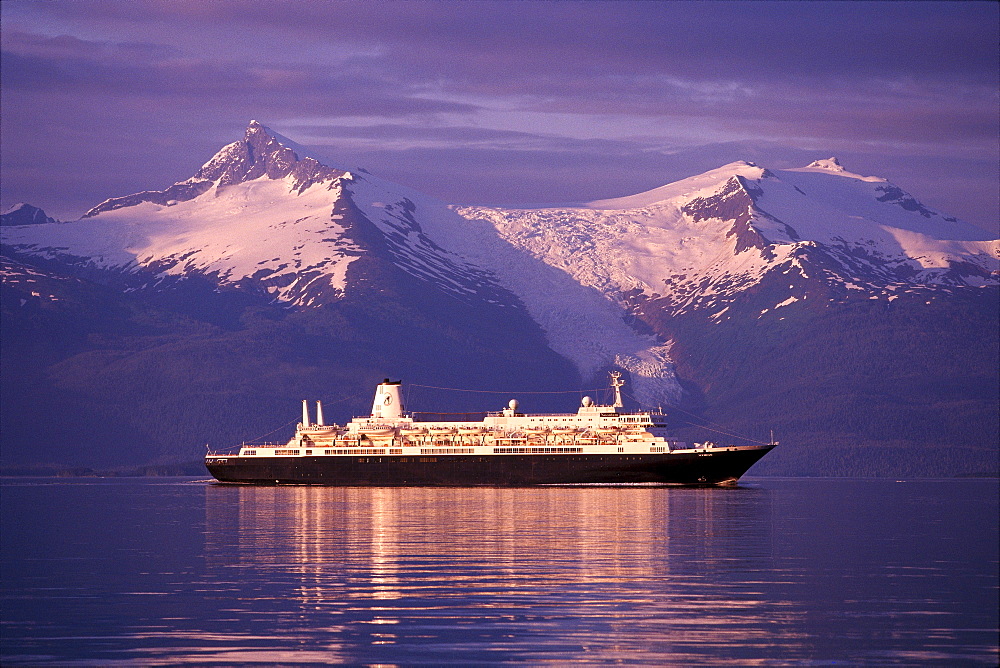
(702, 241)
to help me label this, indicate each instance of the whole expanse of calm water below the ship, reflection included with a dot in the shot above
(146, 572)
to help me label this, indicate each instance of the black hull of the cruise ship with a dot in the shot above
(696, 468)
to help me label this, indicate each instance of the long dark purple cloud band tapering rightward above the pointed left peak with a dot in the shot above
(75, 67)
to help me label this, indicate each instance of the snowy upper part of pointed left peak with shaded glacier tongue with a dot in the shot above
(264, 215)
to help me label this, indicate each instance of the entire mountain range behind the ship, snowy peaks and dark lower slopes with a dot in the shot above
(833, 307)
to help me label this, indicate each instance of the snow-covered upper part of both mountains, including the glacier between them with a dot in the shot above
(265, 214)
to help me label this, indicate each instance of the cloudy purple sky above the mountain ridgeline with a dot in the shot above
(502, 103)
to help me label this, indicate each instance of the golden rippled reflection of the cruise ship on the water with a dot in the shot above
(401, 565)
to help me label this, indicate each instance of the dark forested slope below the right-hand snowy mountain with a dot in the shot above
(865, 387)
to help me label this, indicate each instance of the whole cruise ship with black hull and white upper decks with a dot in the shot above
(595, 445)
